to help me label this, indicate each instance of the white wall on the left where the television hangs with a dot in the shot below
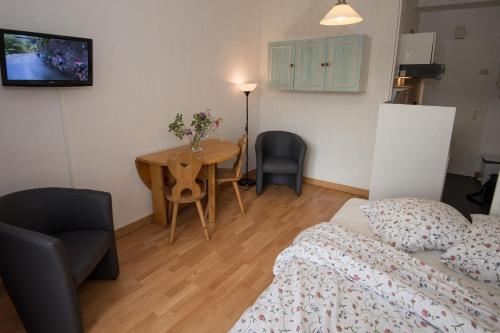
(152, 59)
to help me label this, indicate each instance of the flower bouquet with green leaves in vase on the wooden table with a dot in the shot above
(203, 125)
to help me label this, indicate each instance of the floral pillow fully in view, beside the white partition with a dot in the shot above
(413, 224)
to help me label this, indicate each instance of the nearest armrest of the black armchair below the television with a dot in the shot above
(36, 272)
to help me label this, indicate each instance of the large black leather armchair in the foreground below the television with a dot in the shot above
(51, 240)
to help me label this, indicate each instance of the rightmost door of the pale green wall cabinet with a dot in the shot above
(344, 62)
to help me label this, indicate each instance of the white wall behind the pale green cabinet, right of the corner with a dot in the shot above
(339, 128)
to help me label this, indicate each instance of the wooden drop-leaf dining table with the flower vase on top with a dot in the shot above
(153, 171)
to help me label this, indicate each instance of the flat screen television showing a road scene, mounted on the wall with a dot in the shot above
(41, 60)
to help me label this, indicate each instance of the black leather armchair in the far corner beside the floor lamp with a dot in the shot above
(280, 159)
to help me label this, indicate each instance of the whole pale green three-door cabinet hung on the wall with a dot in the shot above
(323, 64)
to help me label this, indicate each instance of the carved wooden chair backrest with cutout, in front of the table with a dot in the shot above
(185, 166)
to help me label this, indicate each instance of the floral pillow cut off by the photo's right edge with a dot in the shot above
(479, 254)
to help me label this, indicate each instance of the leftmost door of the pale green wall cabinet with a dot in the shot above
(281, 68)
